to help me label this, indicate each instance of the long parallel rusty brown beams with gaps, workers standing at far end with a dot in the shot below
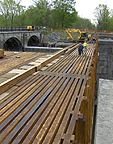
(43, 109)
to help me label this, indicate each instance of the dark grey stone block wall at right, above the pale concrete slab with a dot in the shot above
(105, 60)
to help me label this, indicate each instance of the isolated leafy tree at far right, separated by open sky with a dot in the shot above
(102, 17)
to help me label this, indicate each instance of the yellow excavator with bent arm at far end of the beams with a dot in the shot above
(83, 36)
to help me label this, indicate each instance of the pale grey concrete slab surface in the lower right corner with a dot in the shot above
(104, 118)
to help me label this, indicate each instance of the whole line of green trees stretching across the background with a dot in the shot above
(54, 14)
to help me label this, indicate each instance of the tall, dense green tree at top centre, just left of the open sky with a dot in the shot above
(64, 12)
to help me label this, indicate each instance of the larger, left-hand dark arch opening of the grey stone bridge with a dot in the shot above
(13, 44)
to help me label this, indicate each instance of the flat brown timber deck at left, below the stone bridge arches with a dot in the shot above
(16, 59)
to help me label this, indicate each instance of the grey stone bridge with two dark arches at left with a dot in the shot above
(17, 40)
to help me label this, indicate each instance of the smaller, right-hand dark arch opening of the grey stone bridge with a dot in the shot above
(33, 41)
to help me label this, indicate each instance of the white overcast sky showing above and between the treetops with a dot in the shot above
(85, 8)
